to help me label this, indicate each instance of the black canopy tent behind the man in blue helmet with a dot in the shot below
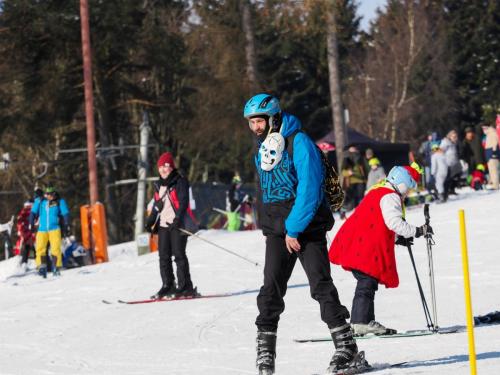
(389, 154)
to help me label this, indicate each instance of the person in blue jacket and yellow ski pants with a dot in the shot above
(49, 210)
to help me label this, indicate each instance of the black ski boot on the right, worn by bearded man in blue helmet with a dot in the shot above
(346, 360)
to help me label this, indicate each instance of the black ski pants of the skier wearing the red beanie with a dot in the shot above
(171, 242)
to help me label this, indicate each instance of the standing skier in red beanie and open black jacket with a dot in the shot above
(170, 213)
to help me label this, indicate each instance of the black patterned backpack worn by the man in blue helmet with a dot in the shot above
(332, 187)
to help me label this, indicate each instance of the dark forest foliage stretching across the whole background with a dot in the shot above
(183, 64)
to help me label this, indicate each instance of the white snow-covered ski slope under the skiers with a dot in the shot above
(60, 325)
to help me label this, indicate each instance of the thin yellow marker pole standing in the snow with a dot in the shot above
(468, 304)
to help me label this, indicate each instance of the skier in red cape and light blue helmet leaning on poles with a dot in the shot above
(364, 245)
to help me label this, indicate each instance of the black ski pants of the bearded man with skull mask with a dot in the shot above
(278, 269)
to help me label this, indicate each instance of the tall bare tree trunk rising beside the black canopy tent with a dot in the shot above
(334, 79)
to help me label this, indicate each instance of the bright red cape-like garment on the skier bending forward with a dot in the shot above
(364, 242)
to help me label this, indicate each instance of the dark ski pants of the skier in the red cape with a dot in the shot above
(363, 304)
